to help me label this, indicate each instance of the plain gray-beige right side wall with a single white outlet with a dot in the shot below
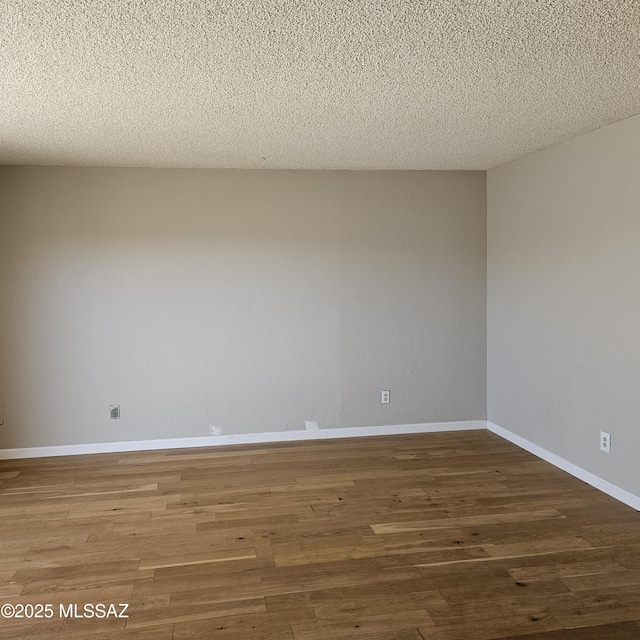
(564, 300)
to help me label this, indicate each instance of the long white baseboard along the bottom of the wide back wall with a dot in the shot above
(248, 438)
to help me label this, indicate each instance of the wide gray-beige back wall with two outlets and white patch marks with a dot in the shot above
(250, 301)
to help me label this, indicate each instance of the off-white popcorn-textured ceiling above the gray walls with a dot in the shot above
(316, 84)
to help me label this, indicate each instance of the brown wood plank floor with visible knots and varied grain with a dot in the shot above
(446, 536)
